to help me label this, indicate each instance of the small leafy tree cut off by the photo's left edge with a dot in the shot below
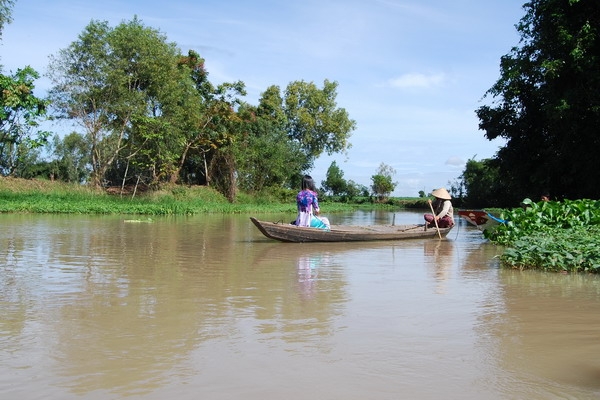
(20, 116)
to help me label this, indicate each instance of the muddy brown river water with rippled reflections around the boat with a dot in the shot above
(98, 307)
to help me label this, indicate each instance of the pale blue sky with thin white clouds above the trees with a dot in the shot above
(411, 73)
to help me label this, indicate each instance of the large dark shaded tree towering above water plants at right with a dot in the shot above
(547, 102)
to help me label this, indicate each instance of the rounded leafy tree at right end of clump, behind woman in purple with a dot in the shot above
(283, 135)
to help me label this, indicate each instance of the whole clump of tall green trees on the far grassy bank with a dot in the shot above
(151, 114)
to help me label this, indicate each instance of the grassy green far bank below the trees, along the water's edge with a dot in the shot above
(41, 196)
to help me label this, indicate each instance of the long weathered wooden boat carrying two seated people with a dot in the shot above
(286, 232)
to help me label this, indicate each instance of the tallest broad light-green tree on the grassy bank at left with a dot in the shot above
(127, 89)
